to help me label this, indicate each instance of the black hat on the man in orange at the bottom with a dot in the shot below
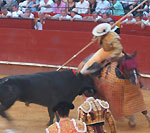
(63, 104)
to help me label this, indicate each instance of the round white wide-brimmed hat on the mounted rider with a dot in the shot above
(101, 29)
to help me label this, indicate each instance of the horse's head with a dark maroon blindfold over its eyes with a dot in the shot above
(128, 67)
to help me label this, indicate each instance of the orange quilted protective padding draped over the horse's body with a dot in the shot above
(124, 98)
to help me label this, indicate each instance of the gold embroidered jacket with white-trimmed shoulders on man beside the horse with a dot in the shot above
(94, 112)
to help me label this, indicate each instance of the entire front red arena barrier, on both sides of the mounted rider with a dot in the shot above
(55, 47)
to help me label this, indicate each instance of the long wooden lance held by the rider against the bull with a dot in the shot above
(94, 40)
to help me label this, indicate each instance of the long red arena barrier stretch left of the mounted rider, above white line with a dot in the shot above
(47, 47)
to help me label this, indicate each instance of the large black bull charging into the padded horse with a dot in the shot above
(45, 88)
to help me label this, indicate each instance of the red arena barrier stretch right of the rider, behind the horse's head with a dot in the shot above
(140, 44)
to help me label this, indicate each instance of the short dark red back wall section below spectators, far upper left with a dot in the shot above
(16, 23)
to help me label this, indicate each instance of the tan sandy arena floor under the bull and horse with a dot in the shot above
(33, 119)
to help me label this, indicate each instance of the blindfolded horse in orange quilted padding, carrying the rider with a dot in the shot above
(118, 83)
